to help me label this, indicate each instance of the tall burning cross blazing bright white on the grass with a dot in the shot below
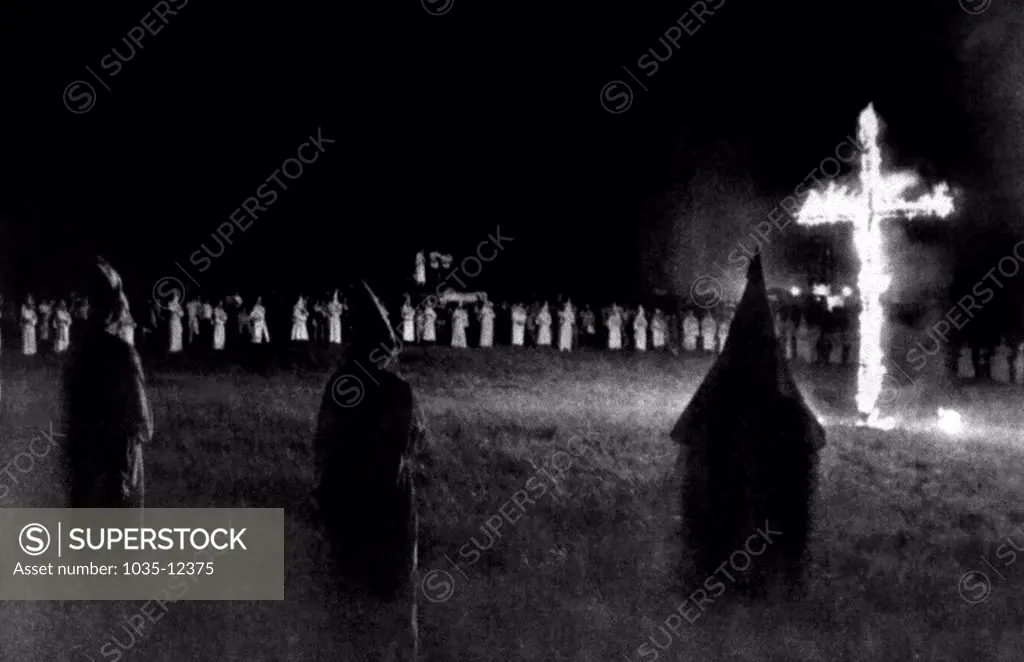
(876, 197)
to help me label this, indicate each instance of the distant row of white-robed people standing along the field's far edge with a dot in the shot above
(174, 325)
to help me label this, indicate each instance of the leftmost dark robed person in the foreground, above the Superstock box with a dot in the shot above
(107, 415)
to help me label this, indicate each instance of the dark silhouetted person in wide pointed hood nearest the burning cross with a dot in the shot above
(750, 454)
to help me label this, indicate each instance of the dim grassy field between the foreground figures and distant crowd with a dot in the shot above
(587, 572)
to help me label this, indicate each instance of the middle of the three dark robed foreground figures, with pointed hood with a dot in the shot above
(368, 448)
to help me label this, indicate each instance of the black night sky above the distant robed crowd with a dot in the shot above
(449, 127)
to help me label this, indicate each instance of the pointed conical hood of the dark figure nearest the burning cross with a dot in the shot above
(751, 370)
